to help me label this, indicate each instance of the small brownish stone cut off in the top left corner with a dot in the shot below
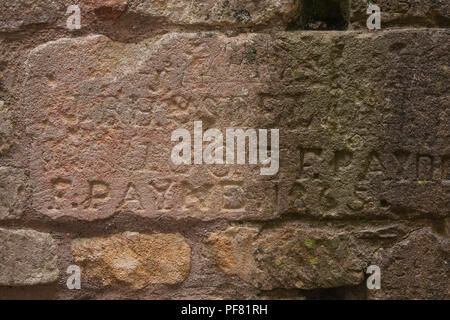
(17, 14)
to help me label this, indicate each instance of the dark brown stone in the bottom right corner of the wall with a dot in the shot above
(415, 268)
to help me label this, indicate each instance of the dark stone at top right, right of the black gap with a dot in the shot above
(408, 13)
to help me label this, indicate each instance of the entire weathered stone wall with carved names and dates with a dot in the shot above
(85, 142)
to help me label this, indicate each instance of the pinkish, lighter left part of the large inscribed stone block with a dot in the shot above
(93, 157)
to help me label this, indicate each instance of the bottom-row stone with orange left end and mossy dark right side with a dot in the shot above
(287, 257)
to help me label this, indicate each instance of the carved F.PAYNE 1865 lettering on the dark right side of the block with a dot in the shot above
(344, 182)
